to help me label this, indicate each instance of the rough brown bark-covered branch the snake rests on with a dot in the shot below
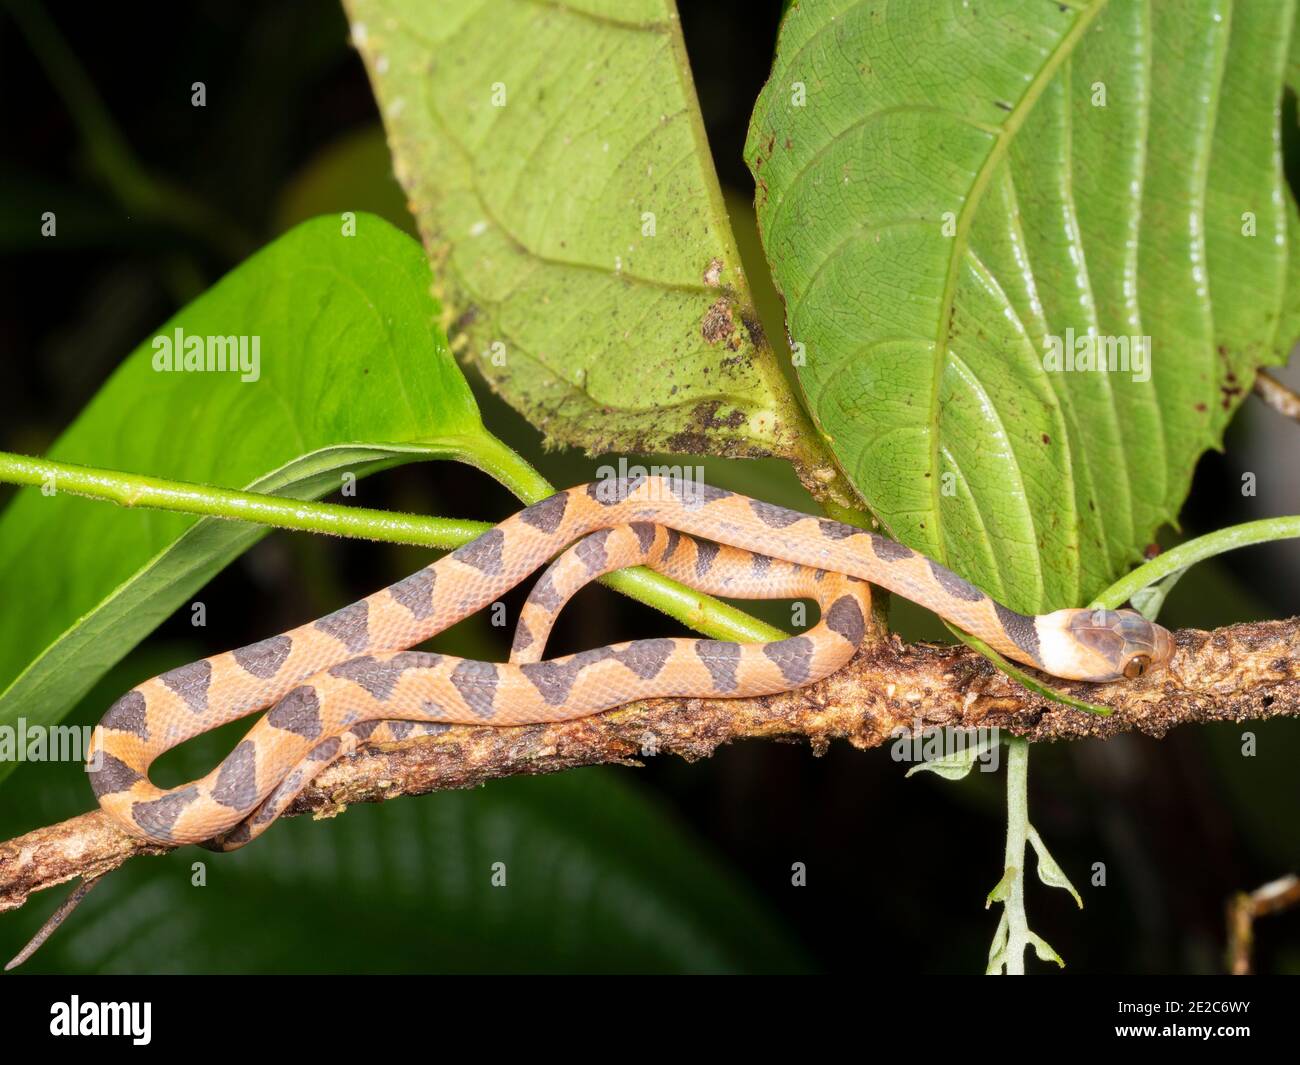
(1241, 673)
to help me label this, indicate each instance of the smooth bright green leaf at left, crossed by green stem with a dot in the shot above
(354, 378)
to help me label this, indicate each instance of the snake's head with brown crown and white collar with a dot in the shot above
(1103, 646)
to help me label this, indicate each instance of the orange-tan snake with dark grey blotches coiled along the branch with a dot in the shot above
(352, 678)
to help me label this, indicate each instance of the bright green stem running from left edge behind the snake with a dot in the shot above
(694, 609)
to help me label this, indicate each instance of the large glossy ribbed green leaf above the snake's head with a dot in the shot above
(944, 188)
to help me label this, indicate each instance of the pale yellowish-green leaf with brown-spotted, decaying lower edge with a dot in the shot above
(538, 145)
